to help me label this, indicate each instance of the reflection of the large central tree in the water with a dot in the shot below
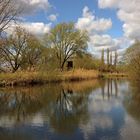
(70, 109)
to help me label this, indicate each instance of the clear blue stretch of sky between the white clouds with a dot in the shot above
(71, 10)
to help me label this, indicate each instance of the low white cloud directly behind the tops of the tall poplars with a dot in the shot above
(105, 41)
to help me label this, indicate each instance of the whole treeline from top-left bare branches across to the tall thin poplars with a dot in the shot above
(22, 50)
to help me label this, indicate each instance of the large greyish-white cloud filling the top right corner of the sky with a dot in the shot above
(128, 11)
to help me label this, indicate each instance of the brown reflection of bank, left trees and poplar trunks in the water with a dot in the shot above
(19, 103)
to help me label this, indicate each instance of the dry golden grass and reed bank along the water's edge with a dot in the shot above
(32, 78)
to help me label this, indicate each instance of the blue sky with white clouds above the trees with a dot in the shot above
(112, 24)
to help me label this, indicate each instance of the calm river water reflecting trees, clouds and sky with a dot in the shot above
(89, 110)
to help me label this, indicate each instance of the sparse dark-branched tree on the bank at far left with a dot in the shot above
(13, 48)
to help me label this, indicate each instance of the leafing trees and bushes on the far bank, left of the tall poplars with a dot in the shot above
(24, 51)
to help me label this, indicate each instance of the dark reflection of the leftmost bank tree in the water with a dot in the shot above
(18, 104)
